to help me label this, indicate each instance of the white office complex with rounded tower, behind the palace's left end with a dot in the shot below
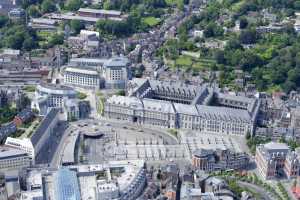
(110, 73)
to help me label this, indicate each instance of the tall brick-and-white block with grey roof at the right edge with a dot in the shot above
(277, 160)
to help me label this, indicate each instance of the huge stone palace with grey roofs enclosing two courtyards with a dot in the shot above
(176, 105)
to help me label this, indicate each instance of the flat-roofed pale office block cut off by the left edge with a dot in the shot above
(13, 159)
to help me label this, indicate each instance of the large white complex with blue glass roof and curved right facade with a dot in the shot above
(114, 180)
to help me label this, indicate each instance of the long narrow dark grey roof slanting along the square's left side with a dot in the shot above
(44, 126)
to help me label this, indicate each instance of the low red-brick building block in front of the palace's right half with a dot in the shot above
(218, 159)
